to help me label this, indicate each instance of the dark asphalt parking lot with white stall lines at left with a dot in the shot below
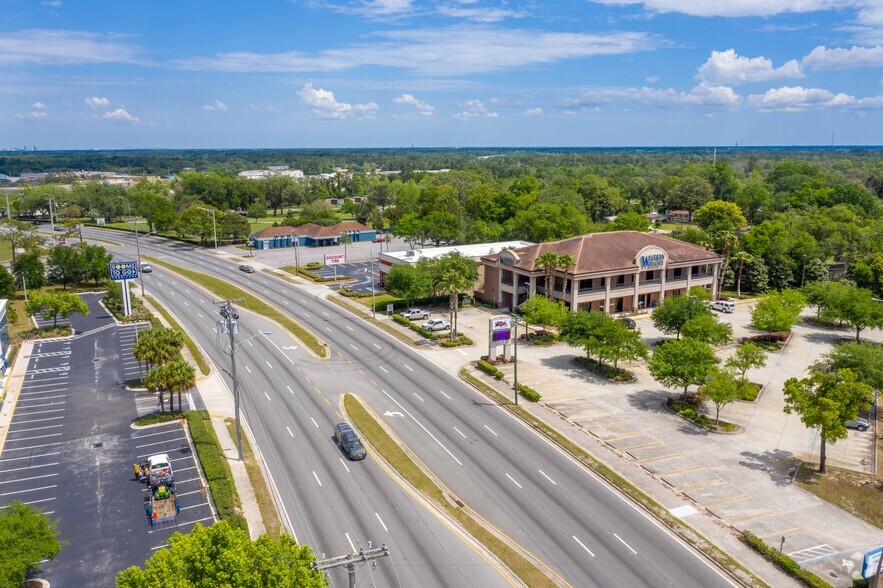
(70, 449)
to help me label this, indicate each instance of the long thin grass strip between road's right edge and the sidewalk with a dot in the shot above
(687, 533)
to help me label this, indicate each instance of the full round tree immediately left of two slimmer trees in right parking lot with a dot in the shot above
(682, 363)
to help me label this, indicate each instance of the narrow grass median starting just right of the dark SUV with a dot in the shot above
(396, 457)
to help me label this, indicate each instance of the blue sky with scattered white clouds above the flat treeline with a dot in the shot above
(82, 74)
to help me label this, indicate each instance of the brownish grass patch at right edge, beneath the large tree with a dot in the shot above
(855, 492)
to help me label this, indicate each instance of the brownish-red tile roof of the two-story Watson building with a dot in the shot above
(599, 252)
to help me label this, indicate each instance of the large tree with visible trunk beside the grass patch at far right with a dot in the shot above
(826, 401)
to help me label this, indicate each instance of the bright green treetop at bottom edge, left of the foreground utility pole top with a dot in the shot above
(221, 555)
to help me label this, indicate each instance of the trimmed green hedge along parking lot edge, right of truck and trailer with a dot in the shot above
(215, 467)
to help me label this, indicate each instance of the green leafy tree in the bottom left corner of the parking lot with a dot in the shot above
(27, 538)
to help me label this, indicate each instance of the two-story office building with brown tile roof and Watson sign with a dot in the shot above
(621, 271)
